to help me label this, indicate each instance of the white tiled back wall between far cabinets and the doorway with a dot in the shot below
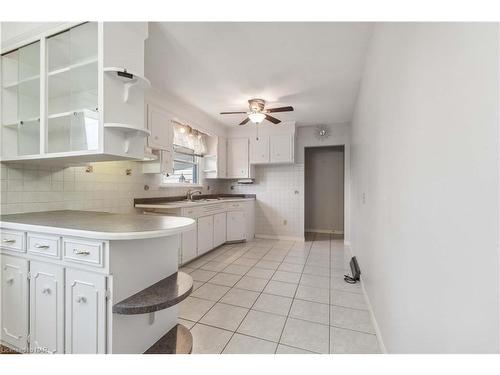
(279, 209)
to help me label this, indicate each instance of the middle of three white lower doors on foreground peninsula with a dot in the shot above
(46, 308)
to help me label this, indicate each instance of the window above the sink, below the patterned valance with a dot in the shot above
(186, 167)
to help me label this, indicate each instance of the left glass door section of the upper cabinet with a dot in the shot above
(20, 120)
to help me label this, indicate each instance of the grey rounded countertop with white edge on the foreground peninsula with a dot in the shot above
(98, 225)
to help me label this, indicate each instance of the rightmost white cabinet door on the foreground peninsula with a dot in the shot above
(85, 312)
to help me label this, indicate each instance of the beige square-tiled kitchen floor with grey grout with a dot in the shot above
(269, 296)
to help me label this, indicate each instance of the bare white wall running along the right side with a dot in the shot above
(425, 158)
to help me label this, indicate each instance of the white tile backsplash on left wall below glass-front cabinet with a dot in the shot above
(27, 188)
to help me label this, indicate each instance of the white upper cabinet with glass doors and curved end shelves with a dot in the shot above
(75, 95)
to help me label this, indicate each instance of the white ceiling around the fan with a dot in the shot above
(315, 67)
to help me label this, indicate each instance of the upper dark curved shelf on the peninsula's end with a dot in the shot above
(165, 293)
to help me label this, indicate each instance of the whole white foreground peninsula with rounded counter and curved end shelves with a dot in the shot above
(92, 282)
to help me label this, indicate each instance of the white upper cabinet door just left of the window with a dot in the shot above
(160, 125)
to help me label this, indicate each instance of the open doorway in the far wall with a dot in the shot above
(324, 190)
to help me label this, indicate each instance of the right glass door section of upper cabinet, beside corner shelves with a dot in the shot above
(72, 95)
